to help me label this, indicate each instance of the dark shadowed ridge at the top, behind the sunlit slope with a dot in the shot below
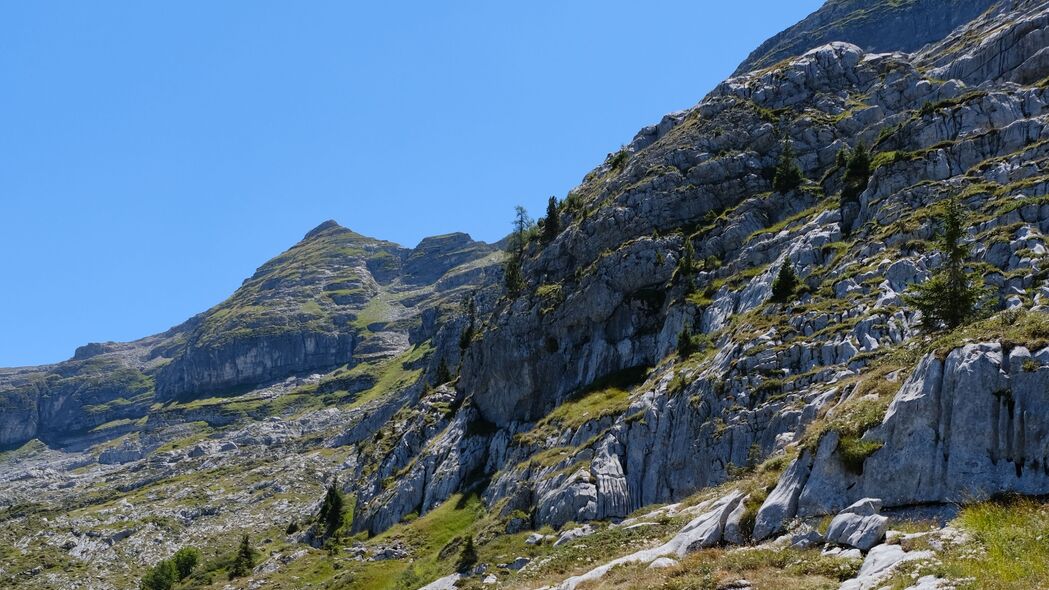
(874, 26)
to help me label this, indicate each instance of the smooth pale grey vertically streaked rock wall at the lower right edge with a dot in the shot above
(962, 429)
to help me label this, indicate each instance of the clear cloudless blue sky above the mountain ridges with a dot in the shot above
(154, 155)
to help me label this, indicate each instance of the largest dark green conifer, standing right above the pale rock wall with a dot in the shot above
(953, 296)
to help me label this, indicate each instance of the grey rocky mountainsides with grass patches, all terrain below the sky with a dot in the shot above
(640, 412)
